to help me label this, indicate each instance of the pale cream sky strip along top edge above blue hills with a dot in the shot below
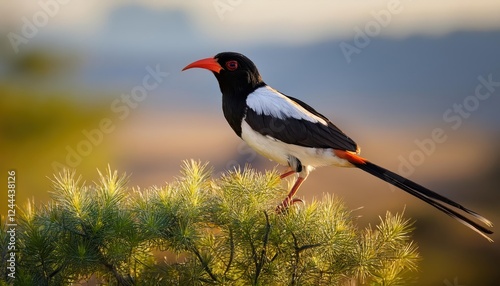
(272, 21)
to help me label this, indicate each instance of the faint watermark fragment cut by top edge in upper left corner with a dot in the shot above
(31, 26)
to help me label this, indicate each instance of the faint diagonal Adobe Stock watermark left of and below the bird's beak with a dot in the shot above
(122, 107)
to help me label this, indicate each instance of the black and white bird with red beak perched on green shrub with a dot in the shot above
(292, 133)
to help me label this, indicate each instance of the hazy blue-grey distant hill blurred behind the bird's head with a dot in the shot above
(418, 76)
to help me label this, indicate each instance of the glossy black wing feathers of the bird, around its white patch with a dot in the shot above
(300, 132)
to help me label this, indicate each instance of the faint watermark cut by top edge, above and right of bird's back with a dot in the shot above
(372, 28)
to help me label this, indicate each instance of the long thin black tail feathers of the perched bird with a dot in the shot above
(434, 199)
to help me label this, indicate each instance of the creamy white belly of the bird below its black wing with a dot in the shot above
(279, 151)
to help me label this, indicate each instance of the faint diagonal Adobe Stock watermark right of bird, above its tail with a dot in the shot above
(454, 117)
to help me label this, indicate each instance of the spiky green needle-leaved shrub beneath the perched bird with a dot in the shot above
(210, 231)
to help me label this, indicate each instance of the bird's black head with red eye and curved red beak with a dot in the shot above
(236, 74)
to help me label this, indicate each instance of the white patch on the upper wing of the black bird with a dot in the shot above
(268, 101)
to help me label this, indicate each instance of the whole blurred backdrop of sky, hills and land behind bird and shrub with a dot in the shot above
(84, 84)
